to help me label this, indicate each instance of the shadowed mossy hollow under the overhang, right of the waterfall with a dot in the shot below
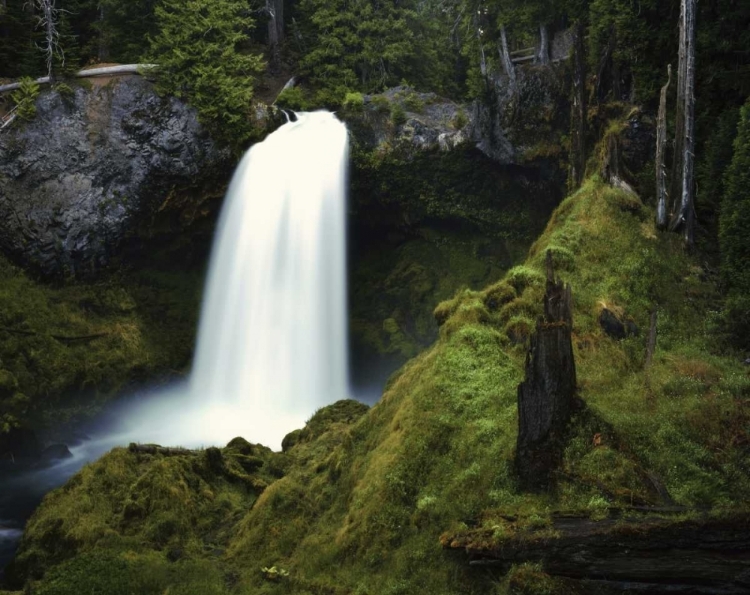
(424, 226)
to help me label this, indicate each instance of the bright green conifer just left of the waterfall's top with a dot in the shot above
(199, 52)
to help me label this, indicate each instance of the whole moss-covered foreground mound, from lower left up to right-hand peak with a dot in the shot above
(364, 500)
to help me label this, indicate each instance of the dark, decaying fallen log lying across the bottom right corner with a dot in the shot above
(639, 553)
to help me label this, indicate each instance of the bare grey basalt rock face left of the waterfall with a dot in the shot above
(100, 168)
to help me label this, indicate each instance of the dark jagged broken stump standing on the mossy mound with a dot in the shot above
(545, 397)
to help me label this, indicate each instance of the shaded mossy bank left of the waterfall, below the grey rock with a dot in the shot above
(58, 342)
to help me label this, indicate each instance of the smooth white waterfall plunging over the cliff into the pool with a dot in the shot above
(272, 337)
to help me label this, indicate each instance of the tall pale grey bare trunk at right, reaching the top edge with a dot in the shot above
(684, 219)
